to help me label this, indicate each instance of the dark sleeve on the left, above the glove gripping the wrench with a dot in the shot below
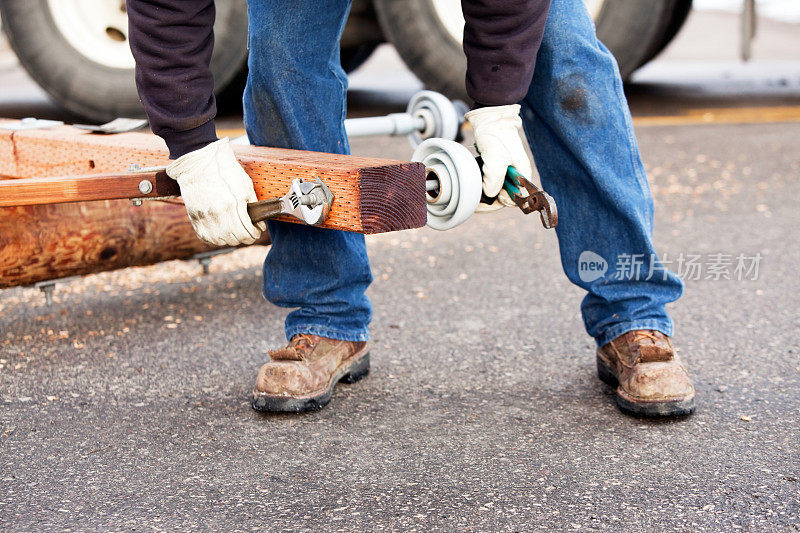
(172, 41)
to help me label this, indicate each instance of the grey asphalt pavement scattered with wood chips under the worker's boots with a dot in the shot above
(125, 405)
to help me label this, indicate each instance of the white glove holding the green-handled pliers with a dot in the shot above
(497, 137)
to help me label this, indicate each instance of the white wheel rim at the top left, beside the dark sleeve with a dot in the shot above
(97, 29)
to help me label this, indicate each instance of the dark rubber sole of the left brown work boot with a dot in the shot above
(348, 373)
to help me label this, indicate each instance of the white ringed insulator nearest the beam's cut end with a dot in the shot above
(460, 182)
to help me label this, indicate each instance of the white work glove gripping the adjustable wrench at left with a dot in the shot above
(216, 190)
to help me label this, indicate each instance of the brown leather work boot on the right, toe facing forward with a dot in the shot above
(650, 379)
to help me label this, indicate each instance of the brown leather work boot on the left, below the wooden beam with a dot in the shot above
(301, 376)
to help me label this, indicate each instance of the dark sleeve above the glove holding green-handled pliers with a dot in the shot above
(501, 40)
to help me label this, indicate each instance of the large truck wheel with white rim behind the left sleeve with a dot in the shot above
(84, 67)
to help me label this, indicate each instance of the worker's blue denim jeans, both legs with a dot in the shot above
(579, 127)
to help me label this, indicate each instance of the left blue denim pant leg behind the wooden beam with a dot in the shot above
(296, 98)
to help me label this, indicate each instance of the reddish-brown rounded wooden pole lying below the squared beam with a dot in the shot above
(44, 242)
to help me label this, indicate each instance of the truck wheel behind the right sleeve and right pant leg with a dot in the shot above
(633, 30)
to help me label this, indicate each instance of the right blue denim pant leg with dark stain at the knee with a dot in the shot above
(580, 132)
